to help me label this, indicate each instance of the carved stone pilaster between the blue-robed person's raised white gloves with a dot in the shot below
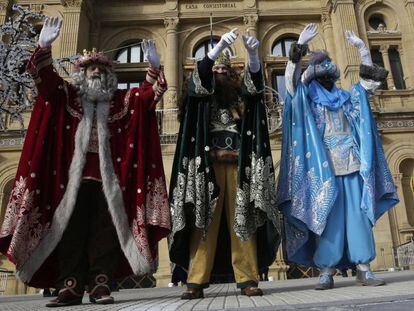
(343, 18)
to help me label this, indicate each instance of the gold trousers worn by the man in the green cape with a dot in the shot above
(202, 251)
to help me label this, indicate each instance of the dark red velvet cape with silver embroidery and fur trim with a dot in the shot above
(43, 174)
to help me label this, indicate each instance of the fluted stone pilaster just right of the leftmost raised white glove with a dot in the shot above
(70, 29)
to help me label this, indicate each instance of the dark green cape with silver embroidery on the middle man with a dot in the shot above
(193, 190)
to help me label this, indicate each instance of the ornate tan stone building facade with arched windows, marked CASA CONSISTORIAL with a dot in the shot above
(181, 30)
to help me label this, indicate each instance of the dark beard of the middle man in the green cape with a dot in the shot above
(226, 90)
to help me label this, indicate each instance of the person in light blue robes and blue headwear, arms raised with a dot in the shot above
(334, 182)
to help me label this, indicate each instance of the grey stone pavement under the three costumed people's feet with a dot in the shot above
(397, 295)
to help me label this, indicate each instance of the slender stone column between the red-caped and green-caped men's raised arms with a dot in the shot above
(171, 64)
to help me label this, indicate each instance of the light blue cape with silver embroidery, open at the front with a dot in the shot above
(307, 187)
